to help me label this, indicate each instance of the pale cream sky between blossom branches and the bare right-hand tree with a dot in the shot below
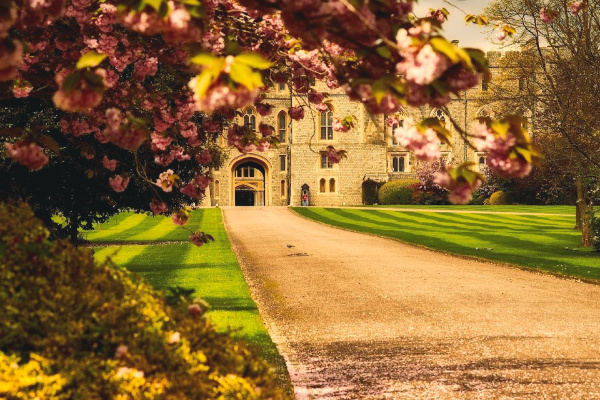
(455, 28)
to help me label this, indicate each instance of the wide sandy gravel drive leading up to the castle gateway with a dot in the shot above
(361, 317)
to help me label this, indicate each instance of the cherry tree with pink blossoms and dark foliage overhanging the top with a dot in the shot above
(143, 87)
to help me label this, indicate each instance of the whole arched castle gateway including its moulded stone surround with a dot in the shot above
(250, 177)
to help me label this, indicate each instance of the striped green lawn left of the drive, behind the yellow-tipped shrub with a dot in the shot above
(212, 270)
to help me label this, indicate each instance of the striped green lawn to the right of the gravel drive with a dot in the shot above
(542, 242)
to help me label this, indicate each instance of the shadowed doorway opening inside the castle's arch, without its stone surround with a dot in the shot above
(249, 184)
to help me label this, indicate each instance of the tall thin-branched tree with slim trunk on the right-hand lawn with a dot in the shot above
(555, 82)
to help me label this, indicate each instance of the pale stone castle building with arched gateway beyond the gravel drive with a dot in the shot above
(281, 175)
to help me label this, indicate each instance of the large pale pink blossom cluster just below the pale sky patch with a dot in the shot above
(423, 67)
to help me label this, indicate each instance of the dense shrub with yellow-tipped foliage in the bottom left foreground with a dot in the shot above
(74, 329)
